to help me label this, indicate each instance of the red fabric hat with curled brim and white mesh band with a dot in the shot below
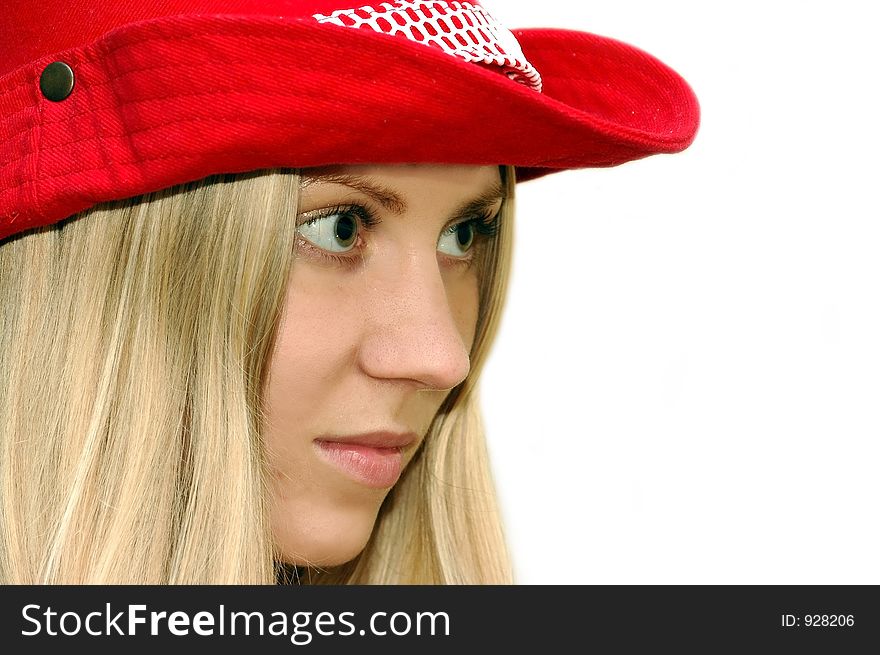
(107, 100)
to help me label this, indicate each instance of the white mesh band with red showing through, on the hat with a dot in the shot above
(458, 28)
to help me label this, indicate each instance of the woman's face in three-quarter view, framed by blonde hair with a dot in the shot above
(377, 327)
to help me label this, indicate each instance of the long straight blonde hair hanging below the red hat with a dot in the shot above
(134, 343)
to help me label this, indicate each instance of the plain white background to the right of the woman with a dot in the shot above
(686, 387)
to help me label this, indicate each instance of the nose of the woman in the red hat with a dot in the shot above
(411, 331)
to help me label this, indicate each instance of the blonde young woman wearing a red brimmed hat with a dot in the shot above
(253, 255)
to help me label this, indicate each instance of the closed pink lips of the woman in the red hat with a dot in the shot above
(375, 459)
